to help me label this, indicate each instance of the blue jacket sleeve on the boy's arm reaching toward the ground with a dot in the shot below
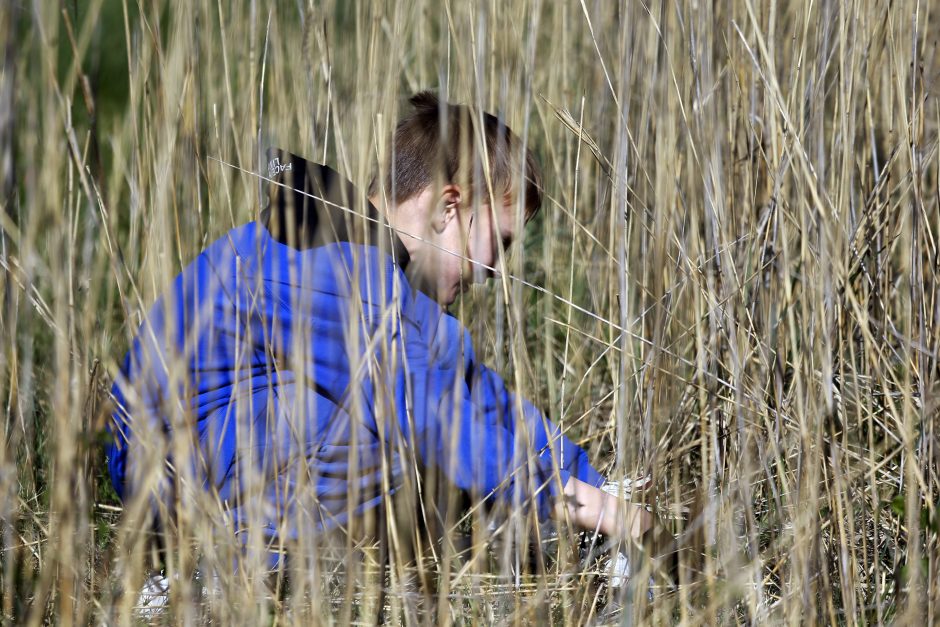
(462, 420)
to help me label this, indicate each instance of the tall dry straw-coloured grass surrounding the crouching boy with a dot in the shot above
(738, 257)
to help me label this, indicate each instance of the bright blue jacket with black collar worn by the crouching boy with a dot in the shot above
(309, 373)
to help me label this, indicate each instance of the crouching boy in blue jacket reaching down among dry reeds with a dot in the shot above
(303, 368)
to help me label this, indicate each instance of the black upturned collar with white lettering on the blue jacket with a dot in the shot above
(311, 205)
